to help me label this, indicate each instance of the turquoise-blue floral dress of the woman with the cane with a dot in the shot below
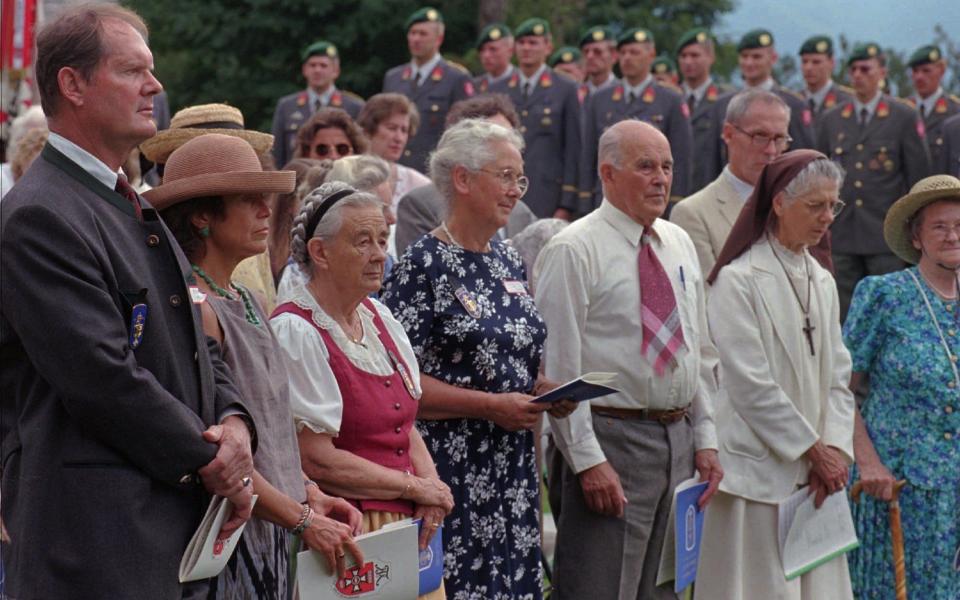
(913, 416)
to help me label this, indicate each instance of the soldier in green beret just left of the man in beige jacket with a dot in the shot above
(696, 55)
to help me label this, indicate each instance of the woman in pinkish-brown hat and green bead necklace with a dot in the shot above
(214, 198)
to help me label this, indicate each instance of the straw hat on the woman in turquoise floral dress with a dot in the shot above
(896, 225)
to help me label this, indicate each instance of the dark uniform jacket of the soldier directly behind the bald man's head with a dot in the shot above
(653, 103)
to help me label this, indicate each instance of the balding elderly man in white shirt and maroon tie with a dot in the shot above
(621, 290)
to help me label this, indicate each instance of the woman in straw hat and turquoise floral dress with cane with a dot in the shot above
(903, 331)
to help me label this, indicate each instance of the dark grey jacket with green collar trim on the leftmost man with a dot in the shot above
(100, 436)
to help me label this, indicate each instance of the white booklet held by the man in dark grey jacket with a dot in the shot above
(205, 555)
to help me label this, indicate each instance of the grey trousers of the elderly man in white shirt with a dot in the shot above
(610, 558)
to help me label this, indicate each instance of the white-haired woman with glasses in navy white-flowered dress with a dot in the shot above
(464, 302)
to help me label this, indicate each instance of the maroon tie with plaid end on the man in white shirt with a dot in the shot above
(662, 330)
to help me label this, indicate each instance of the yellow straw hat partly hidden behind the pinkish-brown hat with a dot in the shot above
(194, 121)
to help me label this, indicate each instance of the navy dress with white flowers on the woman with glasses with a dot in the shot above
(473, 324)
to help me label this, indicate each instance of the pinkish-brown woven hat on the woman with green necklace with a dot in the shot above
(216, 165)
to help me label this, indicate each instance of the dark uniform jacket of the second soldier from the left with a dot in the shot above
(439, 87)
